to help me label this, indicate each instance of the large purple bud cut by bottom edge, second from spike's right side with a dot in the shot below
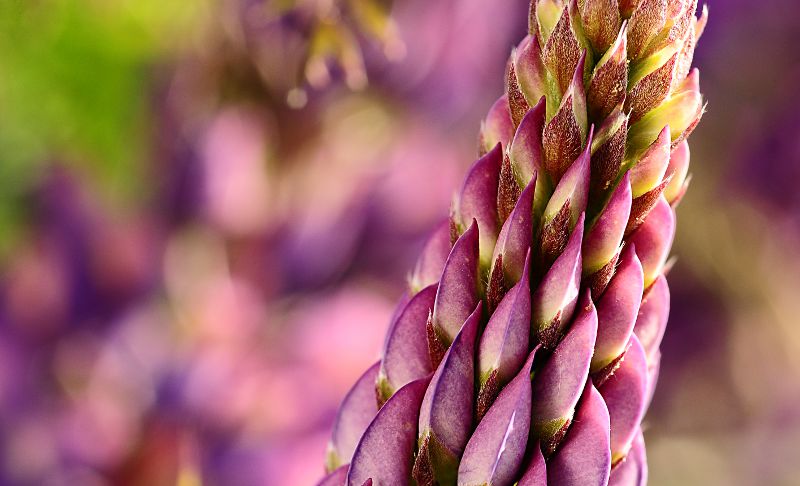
(584, 458)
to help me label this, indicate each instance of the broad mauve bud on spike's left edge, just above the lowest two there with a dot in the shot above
(405, 351)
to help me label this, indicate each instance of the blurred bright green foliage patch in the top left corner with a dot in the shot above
(75, 79)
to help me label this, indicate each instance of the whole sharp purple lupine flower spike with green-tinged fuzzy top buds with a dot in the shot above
(527, 348)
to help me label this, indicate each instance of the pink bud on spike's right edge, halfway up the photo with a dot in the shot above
(653, 240)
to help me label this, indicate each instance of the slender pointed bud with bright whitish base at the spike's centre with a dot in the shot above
(555, 298)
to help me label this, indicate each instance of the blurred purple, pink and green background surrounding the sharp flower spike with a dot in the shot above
(209, 208)
